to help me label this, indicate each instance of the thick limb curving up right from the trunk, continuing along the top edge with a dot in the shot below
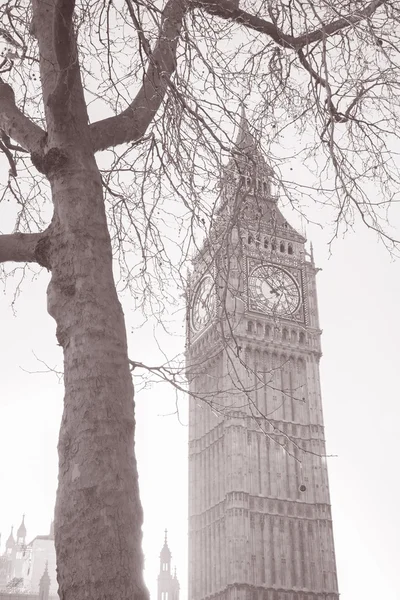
(131, 124)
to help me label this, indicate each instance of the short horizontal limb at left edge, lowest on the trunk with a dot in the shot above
(24, 247)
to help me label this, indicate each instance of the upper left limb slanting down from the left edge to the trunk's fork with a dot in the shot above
(16, 125)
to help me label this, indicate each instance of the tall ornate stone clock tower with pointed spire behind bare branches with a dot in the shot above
(260, 525)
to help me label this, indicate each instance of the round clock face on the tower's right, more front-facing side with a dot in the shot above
(274, 291)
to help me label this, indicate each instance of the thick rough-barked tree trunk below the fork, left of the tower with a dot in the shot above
(98, 513)
